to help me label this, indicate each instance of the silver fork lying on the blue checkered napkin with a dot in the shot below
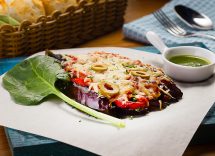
(175, 29)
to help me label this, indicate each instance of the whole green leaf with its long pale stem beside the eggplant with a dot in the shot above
(34, 79)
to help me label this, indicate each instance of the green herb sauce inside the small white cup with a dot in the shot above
(189, 60)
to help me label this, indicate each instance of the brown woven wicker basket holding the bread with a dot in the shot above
(62, 30)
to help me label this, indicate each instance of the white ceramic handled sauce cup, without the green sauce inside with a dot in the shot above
(180, 72)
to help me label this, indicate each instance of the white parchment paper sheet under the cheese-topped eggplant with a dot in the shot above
(163, 133)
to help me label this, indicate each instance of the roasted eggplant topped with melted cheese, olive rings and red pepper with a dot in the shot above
(157, 92)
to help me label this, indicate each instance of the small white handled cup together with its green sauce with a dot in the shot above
(184, 63)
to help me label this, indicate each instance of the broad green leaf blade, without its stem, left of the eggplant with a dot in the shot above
(32, 80)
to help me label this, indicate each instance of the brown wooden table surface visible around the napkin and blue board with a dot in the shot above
(136, 9)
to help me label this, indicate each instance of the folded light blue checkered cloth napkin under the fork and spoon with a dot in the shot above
(136, 30)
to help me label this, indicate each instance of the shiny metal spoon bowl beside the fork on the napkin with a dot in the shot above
(193, 18)
